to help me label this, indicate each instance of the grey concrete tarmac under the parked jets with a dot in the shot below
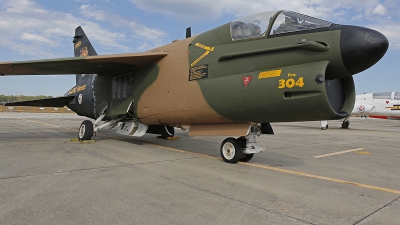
(307, 176)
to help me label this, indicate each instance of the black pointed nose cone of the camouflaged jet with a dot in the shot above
(361, 47)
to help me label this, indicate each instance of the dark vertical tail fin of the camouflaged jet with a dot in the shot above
(82, 47)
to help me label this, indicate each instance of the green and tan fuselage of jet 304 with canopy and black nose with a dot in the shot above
(271, 67)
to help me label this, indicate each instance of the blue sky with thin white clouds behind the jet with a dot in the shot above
(41, 29)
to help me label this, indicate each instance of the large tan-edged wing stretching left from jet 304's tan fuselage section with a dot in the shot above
(80, 65)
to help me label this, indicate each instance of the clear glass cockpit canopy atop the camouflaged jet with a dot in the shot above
(257, 25)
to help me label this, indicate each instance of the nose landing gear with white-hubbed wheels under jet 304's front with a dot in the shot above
(241, 149)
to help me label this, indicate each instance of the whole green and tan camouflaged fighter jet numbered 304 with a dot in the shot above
(233, 80)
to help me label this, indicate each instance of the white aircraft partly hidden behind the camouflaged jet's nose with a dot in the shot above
(383, 105)
